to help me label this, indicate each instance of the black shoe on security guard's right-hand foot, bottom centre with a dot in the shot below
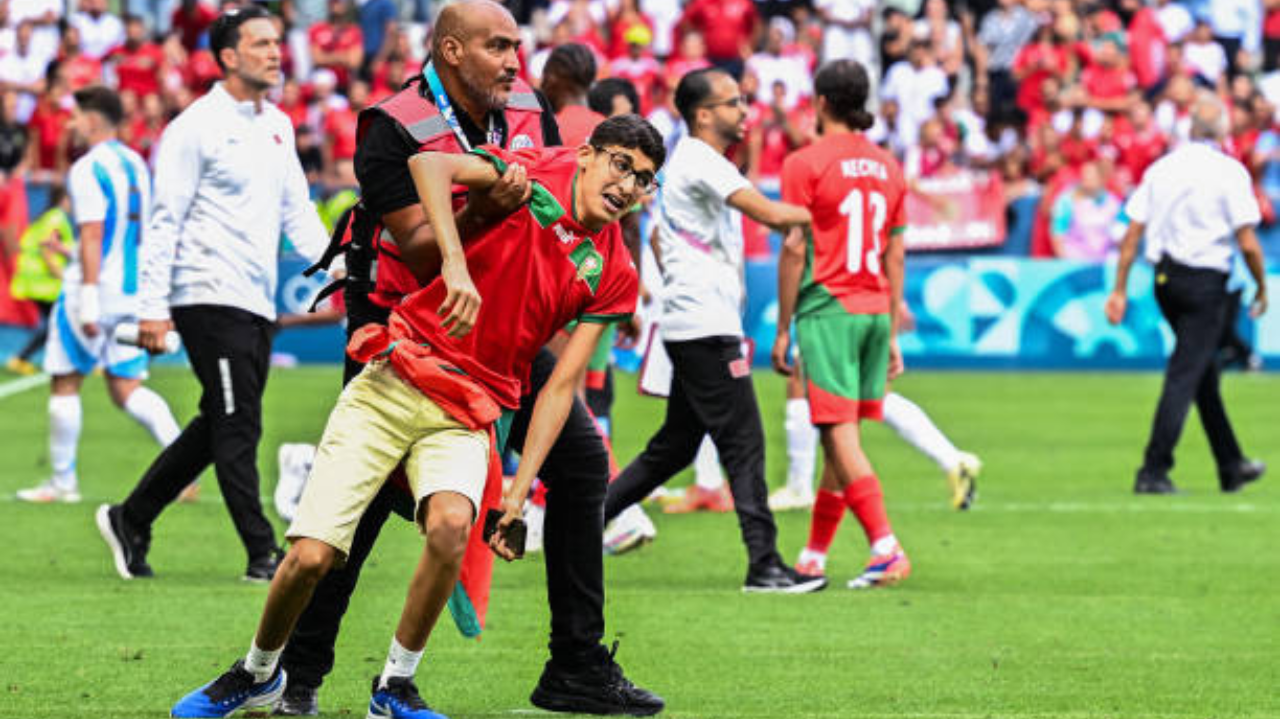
(600, 688)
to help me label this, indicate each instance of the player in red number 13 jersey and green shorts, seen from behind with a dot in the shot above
(845, 288)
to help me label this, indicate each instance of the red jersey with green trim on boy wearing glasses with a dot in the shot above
(537, 272)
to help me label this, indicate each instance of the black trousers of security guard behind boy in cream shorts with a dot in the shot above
(577, 473)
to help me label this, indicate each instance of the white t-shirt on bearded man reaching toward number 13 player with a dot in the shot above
(701, 239)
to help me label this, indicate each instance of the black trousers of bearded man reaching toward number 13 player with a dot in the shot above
(708, 399)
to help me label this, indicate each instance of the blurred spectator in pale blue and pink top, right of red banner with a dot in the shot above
(1085, 218)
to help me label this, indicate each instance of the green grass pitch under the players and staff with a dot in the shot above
(1062, 596)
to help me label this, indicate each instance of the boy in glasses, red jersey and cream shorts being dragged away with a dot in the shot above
(440, 378)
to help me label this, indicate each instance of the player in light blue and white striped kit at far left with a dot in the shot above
(111, 191)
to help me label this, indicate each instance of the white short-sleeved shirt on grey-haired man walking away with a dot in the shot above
(1192, 201)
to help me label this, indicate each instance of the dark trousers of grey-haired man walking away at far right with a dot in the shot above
(1196, 305)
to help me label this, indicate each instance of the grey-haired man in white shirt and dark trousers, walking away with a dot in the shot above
(1190, 226)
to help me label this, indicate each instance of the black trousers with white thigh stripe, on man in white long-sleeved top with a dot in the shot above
(231, 352)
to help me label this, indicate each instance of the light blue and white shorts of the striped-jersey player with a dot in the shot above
(68, 351)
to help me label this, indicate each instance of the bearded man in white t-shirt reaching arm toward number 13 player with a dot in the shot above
(700, 249)
